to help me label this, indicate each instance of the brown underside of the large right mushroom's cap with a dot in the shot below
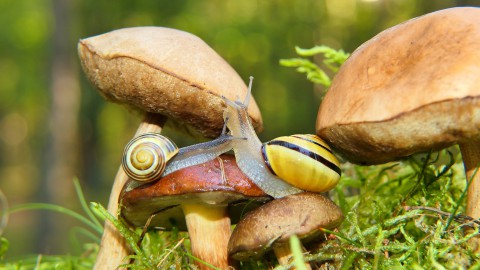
(433, 126)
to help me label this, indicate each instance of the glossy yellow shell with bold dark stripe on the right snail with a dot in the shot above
(304, 161)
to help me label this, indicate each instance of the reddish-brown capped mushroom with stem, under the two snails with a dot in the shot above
(204, 198)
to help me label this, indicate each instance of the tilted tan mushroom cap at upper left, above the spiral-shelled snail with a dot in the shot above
(166, 71)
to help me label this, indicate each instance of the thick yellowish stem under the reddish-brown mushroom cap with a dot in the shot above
(209, 231)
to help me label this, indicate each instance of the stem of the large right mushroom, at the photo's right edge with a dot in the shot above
(471, 160)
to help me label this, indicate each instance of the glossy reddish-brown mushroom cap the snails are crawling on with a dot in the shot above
(200, 184)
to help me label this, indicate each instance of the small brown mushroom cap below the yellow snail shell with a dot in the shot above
(302, 214)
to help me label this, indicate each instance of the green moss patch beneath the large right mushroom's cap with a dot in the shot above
(404, 216)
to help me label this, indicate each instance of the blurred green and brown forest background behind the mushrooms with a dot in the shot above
(54, 126)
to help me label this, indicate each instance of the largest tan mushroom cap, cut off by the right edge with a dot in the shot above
(411, 88)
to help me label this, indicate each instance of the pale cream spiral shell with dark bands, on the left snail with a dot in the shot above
(146, 156)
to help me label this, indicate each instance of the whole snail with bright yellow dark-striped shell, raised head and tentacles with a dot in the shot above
(284, 170)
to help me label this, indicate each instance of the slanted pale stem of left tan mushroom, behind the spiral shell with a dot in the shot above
(113, 247)
